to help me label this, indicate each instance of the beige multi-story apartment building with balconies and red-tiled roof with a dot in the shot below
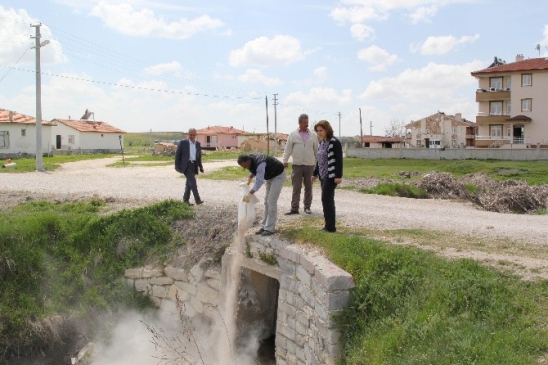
(513, 104)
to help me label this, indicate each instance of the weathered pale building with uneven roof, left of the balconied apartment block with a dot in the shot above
(441, 131)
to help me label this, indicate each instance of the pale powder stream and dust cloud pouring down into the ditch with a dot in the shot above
(168, 337)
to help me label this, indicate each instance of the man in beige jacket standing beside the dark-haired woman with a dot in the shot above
(302, 145)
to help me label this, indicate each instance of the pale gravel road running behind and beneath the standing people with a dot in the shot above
(139, 184)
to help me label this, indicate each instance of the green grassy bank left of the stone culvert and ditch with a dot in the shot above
(68, 259)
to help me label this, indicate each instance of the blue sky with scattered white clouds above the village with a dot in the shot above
(168, 65)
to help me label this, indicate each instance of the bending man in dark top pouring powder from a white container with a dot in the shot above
(271, 171)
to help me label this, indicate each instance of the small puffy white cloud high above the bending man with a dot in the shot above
(262, 51)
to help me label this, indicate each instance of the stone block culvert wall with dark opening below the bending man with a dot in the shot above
(310, 289)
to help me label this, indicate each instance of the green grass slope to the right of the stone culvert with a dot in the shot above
(413, 307)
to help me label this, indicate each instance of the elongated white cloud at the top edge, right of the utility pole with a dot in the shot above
(127, 20)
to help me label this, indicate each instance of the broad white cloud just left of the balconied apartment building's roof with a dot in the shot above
(423, 85)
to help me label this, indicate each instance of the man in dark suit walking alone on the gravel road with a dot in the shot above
(188, 159)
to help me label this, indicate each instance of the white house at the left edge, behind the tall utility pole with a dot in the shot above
(18, 134)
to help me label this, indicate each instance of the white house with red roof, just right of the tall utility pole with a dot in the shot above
(86, 136)
